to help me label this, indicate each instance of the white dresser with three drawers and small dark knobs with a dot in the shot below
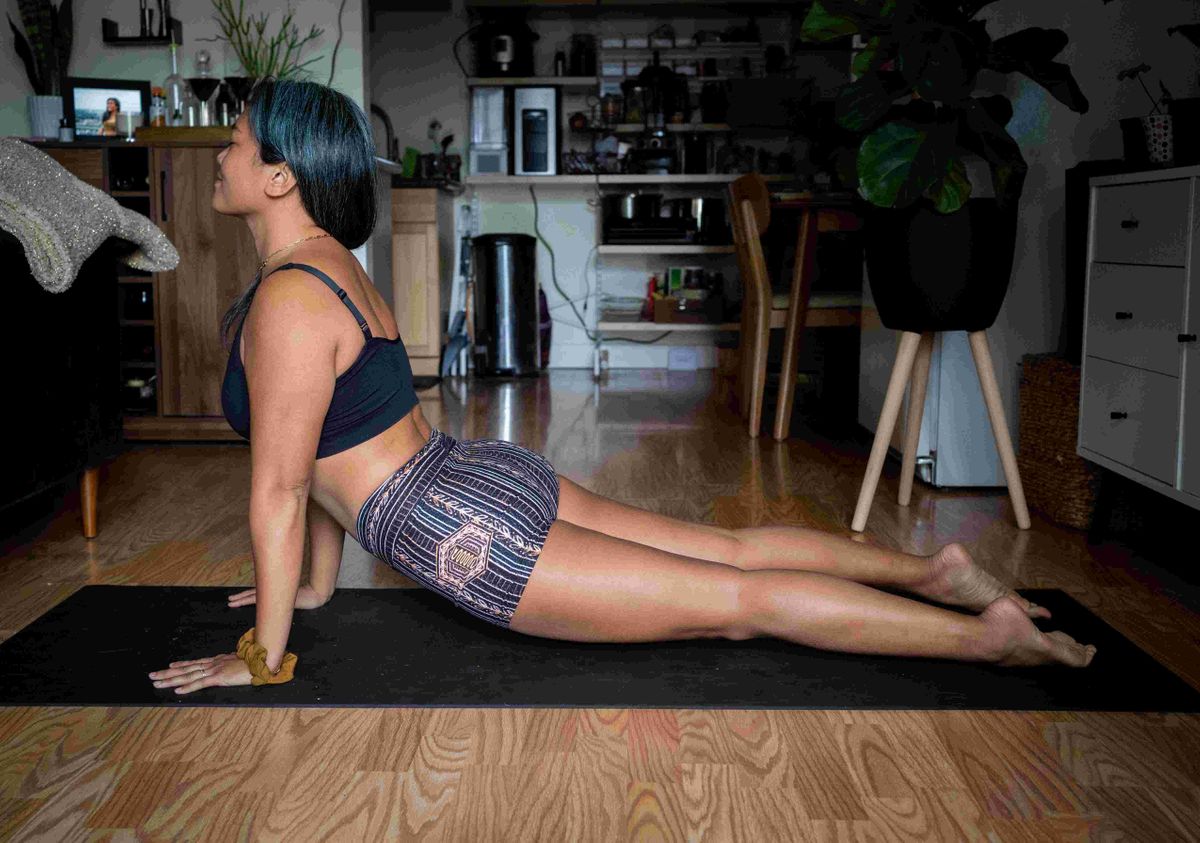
(1141, 397)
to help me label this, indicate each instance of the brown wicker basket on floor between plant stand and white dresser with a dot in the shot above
(1058, 482)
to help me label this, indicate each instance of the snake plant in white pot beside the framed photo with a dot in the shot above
(45, 49)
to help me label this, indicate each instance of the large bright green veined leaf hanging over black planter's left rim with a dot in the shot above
(899, 162)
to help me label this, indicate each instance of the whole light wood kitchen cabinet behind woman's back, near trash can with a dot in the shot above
(422, 264)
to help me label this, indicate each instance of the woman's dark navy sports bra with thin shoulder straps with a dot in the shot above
(370, 397)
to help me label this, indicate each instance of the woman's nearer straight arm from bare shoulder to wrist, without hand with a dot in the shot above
(290, 370)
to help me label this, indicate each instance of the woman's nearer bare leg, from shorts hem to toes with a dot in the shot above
(590, 587)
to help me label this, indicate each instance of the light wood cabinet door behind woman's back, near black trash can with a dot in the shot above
(416, 268)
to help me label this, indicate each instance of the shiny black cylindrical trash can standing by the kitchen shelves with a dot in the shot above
(506, 304)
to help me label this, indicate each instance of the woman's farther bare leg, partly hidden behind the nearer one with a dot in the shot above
(950, 576)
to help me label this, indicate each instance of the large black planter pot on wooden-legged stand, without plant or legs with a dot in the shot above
(940, 272)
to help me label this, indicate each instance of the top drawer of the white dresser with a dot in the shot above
(1144, 223)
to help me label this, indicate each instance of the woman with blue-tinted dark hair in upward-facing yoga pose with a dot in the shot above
(328, 405)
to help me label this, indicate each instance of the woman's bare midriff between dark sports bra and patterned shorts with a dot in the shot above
(344, 482)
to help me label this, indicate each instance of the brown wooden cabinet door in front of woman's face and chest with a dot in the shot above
(217, 264)
